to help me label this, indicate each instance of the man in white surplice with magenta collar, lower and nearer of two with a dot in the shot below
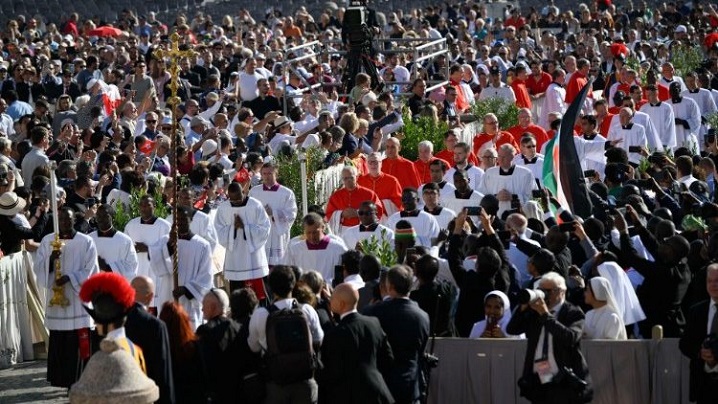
(315, 250)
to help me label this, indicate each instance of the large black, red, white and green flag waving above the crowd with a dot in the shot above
(562, 172)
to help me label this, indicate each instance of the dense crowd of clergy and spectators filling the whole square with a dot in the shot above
(473, 243)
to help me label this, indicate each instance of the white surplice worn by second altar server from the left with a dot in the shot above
(119, 253)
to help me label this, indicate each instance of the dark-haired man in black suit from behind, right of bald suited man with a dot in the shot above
(407, 327)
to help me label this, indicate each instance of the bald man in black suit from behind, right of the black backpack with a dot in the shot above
(353, 353)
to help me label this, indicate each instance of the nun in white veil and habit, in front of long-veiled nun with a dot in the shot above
(604, 321)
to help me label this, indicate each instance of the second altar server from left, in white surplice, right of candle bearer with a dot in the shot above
(115, 250)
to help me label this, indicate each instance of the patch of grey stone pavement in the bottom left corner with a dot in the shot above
(25, 383)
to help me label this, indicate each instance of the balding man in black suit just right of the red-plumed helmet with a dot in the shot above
(150, 333)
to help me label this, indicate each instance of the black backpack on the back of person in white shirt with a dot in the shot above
(289, 357)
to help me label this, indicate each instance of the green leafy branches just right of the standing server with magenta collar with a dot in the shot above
(290, 175)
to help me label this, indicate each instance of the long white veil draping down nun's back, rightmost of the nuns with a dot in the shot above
(625, 299)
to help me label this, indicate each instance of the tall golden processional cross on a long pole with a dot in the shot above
(174, 54)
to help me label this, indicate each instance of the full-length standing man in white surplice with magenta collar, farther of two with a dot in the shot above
(281, 206)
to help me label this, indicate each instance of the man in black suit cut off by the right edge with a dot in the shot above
(702, 323)
